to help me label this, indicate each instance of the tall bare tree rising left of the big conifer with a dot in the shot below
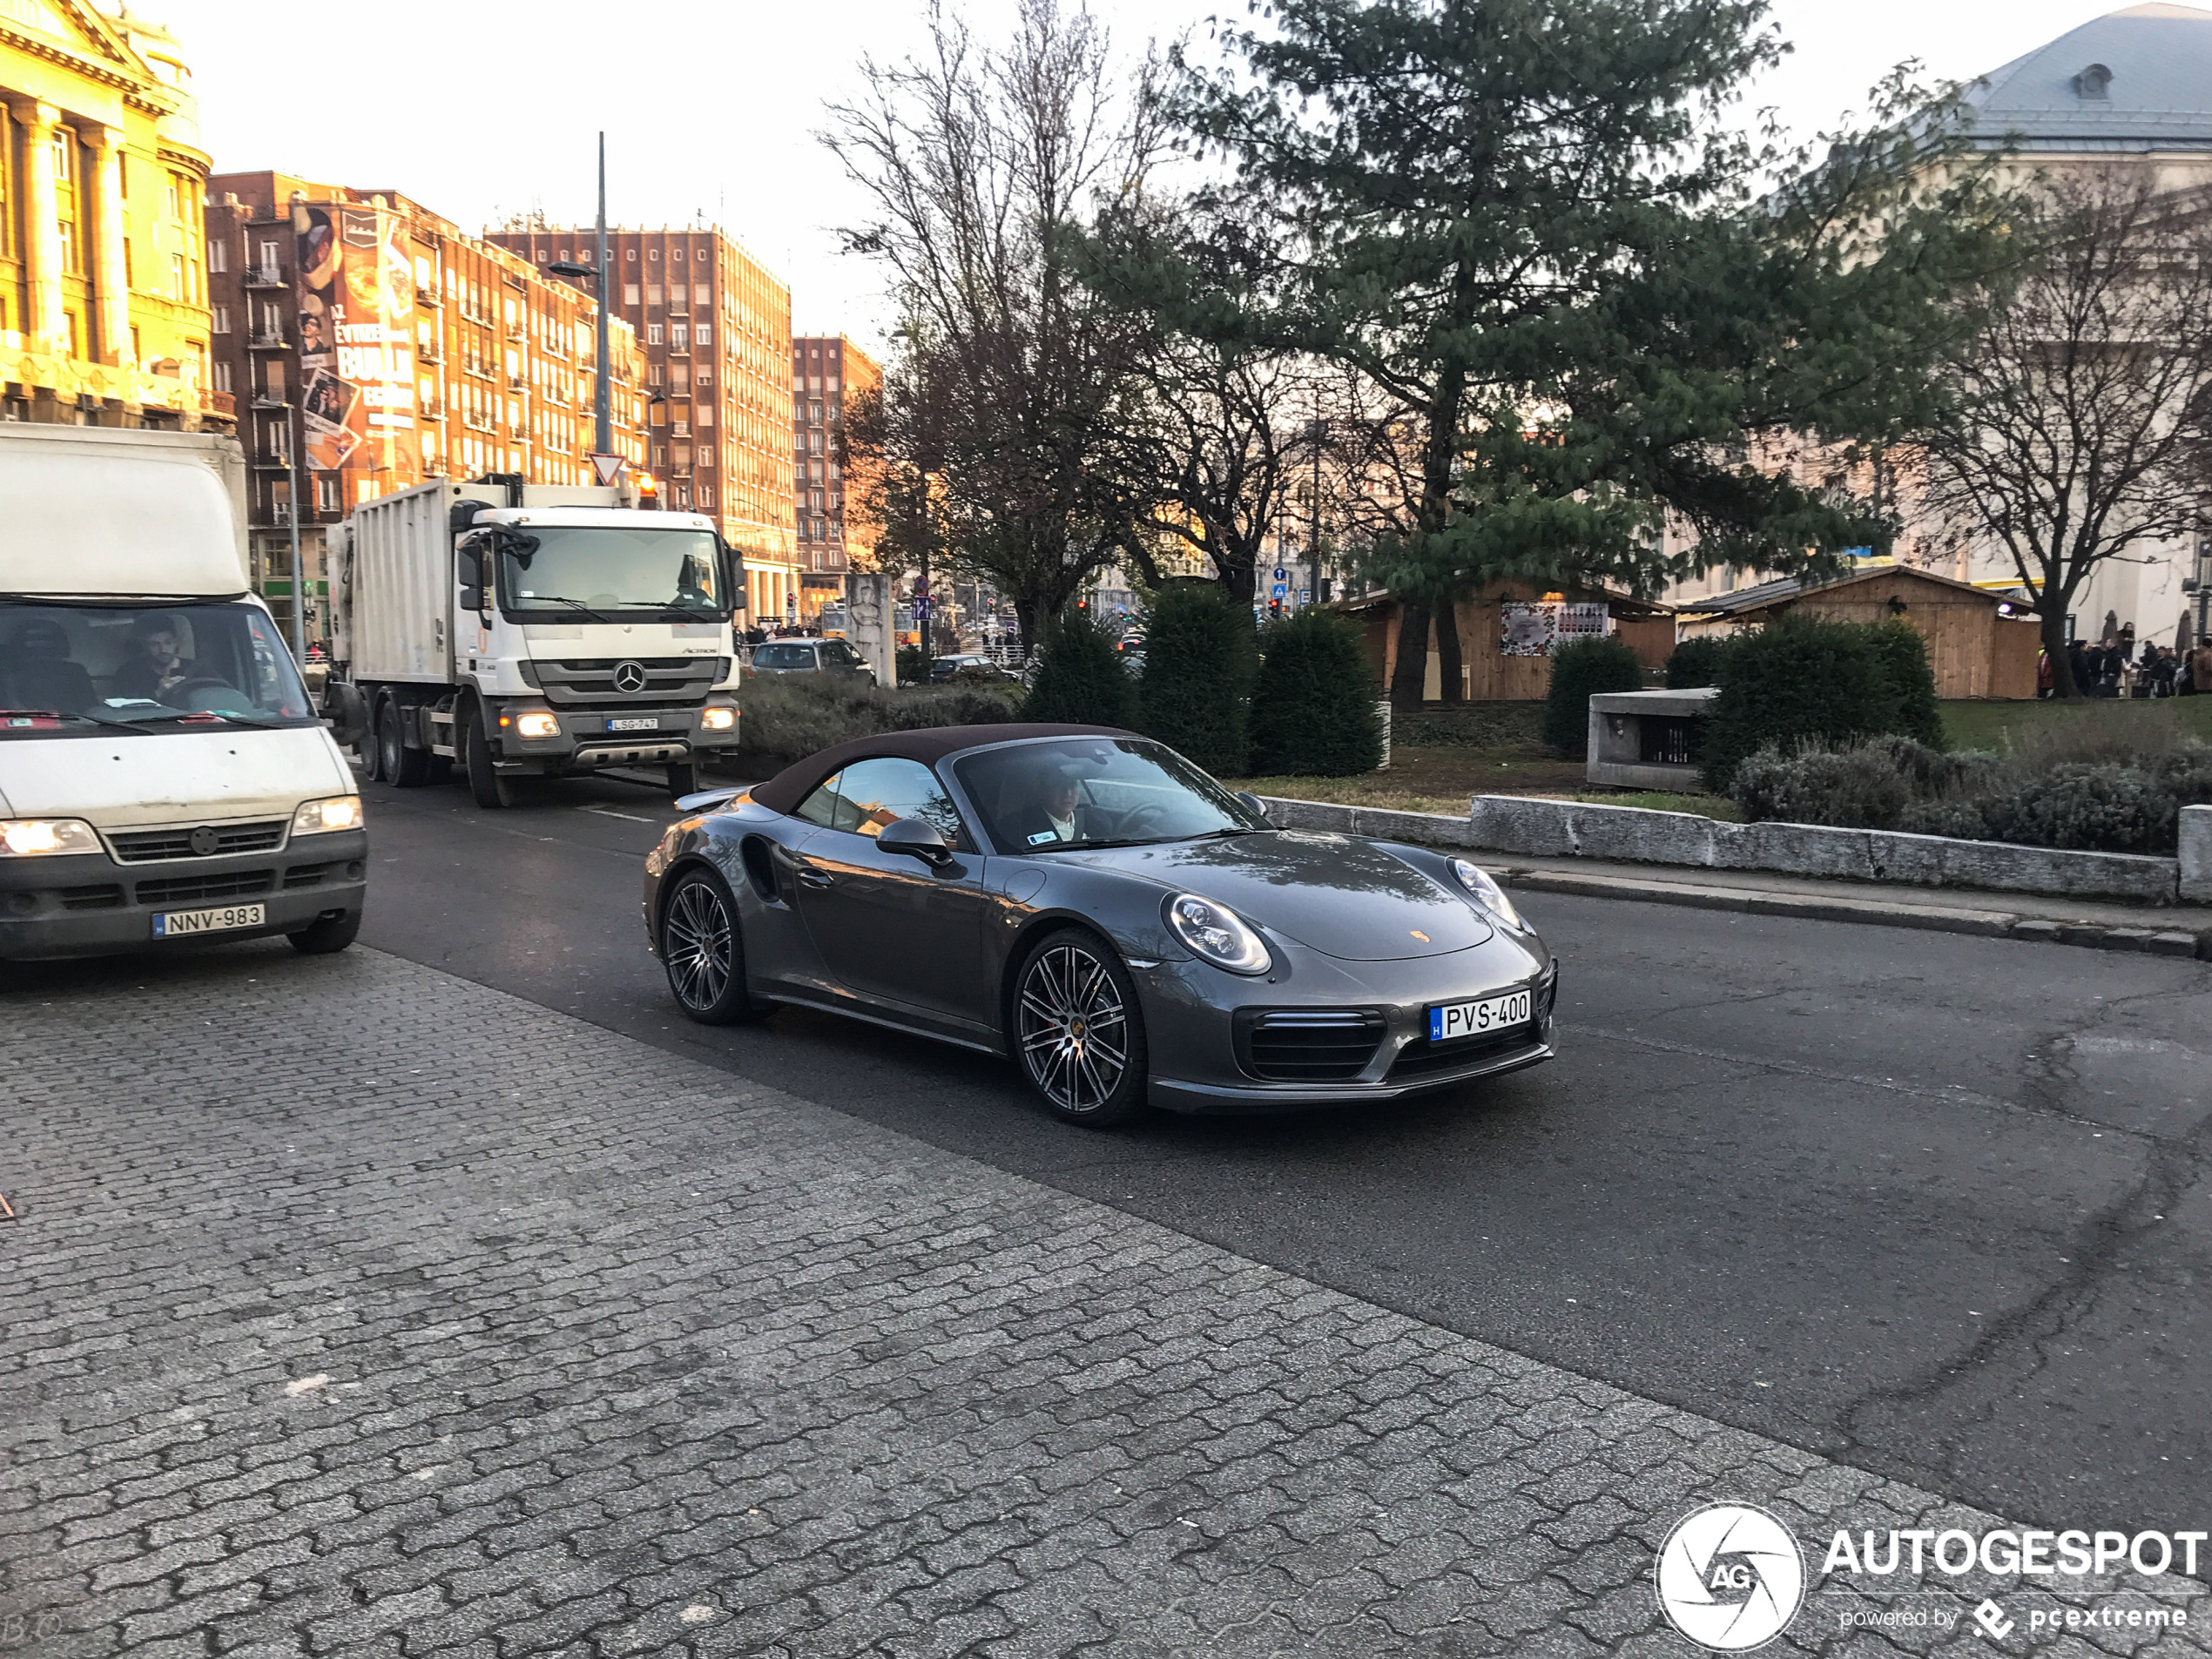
(985, 169)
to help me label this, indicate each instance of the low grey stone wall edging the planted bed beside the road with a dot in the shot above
(1636, 835)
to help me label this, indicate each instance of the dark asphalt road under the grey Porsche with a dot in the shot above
(1937, 1207)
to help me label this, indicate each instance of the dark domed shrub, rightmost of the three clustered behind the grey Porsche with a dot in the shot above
(1315, 702)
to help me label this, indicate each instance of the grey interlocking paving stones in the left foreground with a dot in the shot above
(357, 1308)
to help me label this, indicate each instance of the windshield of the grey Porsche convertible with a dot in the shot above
(1096, 793)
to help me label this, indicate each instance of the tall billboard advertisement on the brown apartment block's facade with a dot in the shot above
(357, 344)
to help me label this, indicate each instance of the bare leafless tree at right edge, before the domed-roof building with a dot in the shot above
(2085, 410)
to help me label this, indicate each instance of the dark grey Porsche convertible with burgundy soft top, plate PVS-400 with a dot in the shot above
(1098, 910)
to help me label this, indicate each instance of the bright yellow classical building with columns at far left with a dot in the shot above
(103, 291)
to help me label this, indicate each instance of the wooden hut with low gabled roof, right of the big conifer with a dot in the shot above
(1979, 647)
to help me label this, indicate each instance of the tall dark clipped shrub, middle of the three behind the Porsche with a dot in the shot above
(1200, 662)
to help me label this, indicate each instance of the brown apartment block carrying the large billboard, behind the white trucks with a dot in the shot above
(373, 344)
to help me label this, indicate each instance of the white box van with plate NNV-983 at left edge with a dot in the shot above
(165, 775)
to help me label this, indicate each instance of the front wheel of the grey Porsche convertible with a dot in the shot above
(1078, 1030)
